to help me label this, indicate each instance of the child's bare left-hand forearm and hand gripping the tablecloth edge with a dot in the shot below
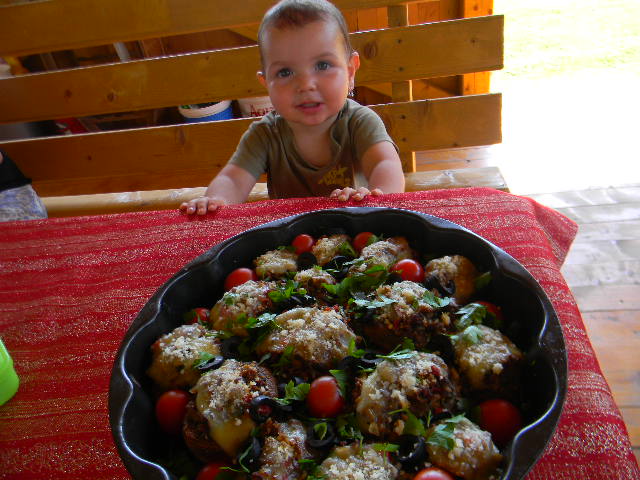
(231, 185)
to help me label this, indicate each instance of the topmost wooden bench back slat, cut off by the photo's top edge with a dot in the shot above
(83, 23)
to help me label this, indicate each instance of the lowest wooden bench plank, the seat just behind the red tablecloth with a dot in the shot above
(66, 206)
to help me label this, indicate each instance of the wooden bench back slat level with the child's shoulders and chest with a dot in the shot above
(188, 155)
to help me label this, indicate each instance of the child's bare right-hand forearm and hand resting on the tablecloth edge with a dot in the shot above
(383, 170)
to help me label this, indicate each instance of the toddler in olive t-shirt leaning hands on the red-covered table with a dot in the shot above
(316, 142)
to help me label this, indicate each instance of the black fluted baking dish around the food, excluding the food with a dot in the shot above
(535, 326)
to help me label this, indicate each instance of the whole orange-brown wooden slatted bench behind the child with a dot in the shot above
(158, 167)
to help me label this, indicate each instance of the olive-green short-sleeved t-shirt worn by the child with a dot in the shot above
(268, 147)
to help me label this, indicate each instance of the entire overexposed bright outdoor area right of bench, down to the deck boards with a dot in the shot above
(570, 94)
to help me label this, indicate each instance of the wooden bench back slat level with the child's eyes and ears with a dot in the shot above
(388, 55)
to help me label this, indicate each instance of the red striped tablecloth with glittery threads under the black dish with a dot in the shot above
(69, 289)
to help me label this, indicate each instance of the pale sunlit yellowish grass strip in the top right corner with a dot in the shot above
(552, 37)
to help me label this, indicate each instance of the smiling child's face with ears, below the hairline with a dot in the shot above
(307, 72)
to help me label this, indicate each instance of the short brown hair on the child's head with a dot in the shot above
(299, 13)
